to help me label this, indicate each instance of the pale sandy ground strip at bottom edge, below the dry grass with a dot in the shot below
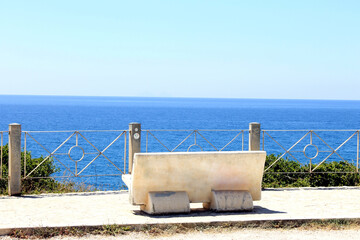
(277, 234)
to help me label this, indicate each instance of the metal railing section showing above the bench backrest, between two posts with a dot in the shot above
(186, 140)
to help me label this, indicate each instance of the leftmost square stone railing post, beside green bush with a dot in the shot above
(14, 182)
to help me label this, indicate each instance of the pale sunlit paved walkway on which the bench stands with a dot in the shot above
(91, 209)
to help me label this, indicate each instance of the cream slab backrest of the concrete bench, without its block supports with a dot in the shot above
(197, 173)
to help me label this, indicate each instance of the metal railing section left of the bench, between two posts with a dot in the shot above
(76, 152)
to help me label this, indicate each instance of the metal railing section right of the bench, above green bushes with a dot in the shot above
(313, 147)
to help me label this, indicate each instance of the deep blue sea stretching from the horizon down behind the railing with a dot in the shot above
(50, 120)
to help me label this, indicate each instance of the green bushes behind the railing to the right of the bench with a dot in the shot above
(288, 173)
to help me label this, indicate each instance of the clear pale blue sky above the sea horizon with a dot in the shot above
(296, 49)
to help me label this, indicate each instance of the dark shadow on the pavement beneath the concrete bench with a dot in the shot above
(201, 212)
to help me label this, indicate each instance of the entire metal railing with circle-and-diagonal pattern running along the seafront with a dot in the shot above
(107, 153)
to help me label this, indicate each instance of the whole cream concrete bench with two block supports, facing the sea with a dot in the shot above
(222, 181)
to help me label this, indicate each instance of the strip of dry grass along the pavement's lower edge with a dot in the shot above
(171, 229)
